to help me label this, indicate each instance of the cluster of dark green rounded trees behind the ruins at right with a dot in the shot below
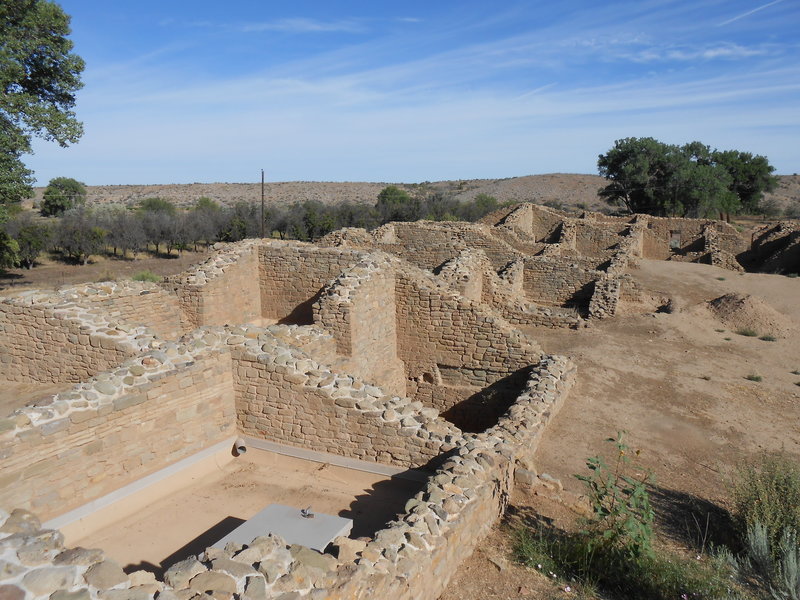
(649, 176)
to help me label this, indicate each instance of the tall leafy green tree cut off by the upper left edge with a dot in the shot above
(39, 76)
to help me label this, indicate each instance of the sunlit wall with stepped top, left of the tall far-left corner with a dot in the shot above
(223, 289)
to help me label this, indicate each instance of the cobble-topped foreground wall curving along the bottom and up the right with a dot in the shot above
(413, 557)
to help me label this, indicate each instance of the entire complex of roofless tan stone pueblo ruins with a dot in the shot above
(398, 352)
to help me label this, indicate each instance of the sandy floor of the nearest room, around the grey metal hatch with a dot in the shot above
(184, 524)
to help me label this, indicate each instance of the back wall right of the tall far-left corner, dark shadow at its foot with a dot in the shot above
(292, 275)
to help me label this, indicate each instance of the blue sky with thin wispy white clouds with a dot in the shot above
(195, 91)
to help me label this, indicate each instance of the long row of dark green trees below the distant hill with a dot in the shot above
(77, 231)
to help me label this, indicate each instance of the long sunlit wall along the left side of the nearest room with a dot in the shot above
(116, 428)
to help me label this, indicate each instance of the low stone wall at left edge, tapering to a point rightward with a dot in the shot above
(47, 337)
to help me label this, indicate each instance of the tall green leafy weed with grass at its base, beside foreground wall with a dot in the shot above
(613, 551)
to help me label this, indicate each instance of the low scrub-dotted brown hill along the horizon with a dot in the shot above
(568, 189)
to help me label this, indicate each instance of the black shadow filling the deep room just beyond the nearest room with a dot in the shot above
(483, 409)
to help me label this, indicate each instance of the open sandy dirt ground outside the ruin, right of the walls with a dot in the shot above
(676, 383)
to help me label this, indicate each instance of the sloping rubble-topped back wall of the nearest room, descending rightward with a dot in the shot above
(283, 395)
